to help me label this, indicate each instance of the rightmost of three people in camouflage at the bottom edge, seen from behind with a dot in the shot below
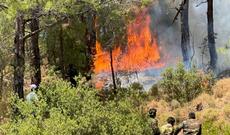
(190, 127)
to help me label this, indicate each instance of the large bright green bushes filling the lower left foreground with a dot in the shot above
(63, 110)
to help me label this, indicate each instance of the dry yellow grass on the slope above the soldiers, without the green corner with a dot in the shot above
(216, 107)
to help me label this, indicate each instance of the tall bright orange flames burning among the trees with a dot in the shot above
(141, 53)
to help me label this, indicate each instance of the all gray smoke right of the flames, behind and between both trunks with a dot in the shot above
(163, 13)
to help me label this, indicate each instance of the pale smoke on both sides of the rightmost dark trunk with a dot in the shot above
(198, 27)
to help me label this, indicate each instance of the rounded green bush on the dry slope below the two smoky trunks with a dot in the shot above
(184, 85)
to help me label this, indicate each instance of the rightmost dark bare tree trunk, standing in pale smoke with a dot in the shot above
(211, 36)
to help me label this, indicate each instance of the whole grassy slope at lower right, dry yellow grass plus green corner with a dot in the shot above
(215, 112)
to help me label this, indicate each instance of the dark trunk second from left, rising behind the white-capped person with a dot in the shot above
(35, 52)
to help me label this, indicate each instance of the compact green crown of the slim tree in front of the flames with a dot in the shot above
(112, 24)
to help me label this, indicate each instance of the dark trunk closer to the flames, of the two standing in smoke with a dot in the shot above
(185, 36)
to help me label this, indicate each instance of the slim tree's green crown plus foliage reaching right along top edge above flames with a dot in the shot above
(113, 19)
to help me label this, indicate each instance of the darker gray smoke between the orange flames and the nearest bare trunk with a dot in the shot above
(168, 34)
